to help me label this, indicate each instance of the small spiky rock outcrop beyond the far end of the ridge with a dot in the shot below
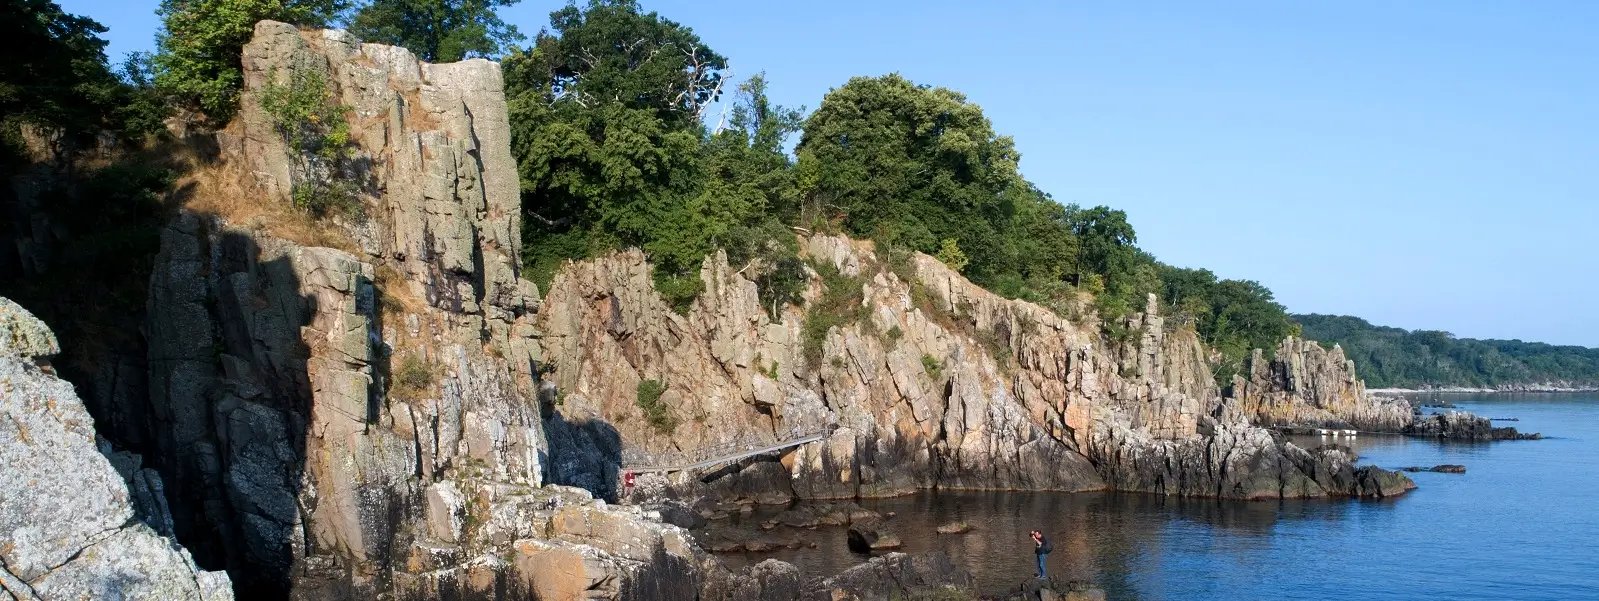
(1307, 386)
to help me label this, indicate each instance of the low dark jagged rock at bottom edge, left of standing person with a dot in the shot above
(895, 576)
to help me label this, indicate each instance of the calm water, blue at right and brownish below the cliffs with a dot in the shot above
(1523, 523)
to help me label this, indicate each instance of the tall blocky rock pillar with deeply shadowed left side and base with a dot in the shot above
(365, 421)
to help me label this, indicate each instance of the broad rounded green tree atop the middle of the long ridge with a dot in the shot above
(912, 165)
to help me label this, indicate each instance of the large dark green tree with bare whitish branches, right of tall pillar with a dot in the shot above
(605, 127)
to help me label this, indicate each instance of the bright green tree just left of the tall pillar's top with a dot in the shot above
(199, 46)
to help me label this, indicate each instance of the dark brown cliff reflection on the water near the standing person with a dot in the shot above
(1098, 536)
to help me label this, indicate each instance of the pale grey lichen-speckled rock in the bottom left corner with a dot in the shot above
(70, 528)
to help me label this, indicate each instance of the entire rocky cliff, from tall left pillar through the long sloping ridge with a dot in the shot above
(380, 407)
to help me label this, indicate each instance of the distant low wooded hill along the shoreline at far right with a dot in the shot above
(1392, 357)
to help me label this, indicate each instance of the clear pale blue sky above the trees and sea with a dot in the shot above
(1426, 164)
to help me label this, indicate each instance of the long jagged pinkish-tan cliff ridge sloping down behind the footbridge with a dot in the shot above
(939, 383)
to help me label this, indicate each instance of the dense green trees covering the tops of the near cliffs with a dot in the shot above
(628, 132)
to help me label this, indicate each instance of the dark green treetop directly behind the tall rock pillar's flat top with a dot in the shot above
(437, 31)
